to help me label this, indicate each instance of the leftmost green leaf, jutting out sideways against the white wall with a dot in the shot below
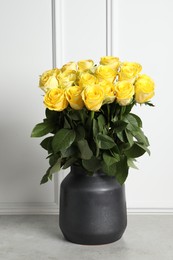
(42, 129)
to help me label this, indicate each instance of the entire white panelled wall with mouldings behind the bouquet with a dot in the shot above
(36, 35)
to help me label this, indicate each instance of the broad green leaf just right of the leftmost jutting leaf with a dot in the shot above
(63, 139)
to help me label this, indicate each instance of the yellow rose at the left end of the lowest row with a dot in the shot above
(55, 99)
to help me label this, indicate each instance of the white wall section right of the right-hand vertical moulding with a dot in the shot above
(142, 31)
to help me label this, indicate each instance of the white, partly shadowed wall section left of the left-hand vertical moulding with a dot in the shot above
(25, 51)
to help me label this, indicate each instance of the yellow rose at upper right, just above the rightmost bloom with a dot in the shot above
(129, 70)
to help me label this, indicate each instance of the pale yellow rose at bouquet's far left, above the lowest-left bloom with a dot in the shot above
(48, 79)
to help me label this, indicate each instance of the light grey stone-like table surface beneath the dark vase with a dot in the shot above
(147, 237)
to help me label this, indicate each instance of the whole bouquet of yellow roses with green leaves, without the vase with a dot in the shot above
(88, 116)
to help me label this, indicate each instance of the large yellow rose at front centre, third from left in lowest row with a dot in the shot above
(93, 97)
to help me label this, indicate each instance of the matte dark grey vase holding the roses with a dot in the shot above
(92, 208)
